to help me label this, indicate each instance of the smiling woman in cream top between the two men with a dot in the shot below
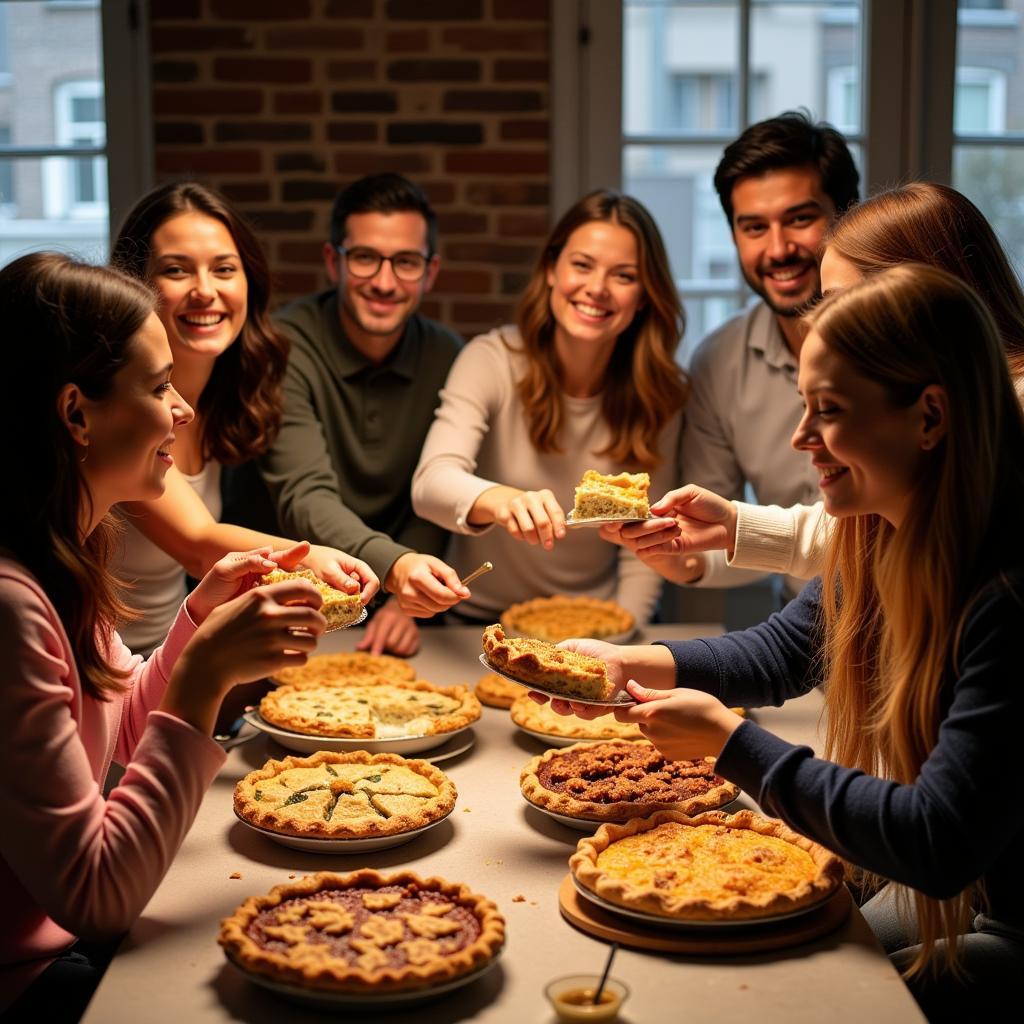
(586, 380)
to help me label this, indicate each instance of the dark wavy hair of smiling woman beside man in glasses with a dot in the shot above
(240, 409)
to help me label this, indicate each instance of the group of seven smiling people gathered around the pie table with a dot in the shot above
(878, 428)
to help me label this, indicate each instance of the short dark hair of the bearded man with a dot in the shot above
(792, 140)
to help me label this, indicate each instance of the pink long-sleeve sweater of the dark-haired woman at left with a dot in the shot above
(72, 864)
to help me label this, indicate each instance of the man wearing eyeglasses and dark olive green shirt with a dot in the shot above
(360, 396)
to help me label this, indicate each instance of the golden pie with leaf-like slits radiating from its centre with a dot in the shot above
(345, 796)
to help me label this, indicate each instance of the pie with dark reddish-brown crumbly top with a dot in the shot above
(622, 780)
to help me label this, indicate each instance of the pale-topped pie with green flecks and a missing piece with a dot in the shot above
(371, 710)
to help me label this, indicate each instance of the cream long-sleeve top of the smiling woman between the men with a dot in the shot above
(480, 440)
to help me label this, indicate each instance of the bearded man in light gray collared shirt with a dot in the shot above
(782, 184)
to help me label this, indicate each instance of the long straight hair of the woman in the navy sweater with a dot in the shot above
(895, 602)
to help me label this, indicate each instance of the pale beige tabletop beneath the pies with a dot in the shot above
(172, 969)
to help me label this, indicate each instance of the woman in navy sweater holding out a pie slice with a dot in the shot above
(914, 629)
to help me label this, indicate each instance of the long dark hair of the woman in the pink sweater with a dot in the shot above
(69, 323)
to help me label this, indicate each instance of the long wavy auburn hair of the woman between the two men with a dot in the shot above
(644, 387)
